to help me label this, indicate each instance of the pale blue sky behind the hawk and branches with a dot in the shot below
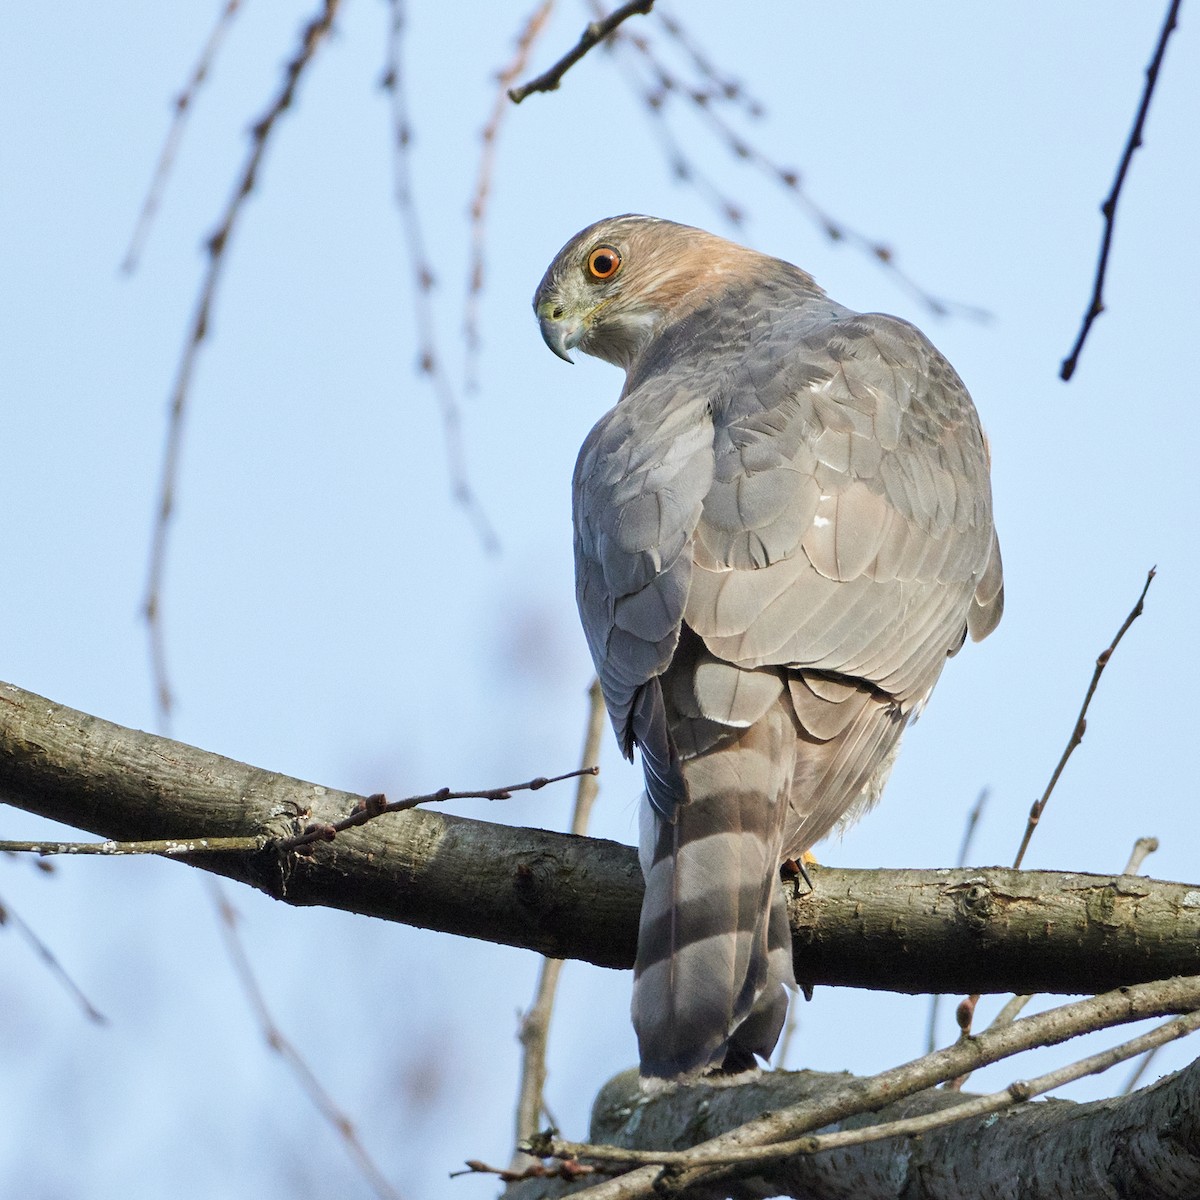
(332, 615)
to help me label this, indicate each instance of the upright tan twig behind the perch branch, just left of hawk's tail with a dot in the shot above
(535, 1034)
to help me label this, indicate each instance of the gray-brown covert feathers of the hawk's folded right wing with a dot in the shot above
(891, 503)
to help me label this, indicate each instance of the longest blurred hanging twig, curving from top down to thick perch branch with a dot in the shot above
(314, 34)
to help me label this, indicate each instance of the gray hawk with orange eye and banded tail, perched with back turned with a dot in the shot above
(782, 532)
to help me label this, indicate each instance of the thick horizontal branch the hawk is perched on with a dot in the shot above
(935, 931)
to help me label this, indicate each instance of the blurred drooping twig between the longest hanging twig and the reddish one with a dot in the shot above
(424, 283)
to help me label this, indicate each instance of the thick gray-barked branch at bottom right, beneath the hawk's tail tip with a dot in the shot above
(1145, 1147)
